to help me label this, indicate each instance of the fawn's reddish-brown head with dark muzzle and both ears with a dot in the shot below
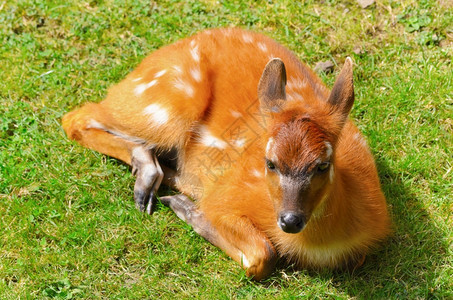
(299, 156)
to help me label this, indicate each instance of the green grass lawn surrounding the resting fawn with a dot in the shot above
(68, 226)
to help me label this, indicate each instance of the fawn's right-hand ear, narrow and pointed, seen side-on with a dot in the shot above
(342, 94)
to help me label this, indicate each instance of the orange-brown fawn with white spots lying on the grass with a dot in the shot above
(276, 168)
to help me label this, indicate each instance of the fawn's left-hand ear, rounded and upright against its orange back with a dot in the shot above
(271, 88)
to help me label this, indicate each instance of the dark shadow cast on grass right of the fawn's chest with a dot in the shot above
(410, 262)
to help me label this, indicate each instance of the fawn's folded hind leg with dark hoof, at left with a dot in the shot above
(86, 126)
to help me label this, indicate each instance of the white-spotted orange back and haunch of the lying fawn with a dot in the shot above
(199, 96)
